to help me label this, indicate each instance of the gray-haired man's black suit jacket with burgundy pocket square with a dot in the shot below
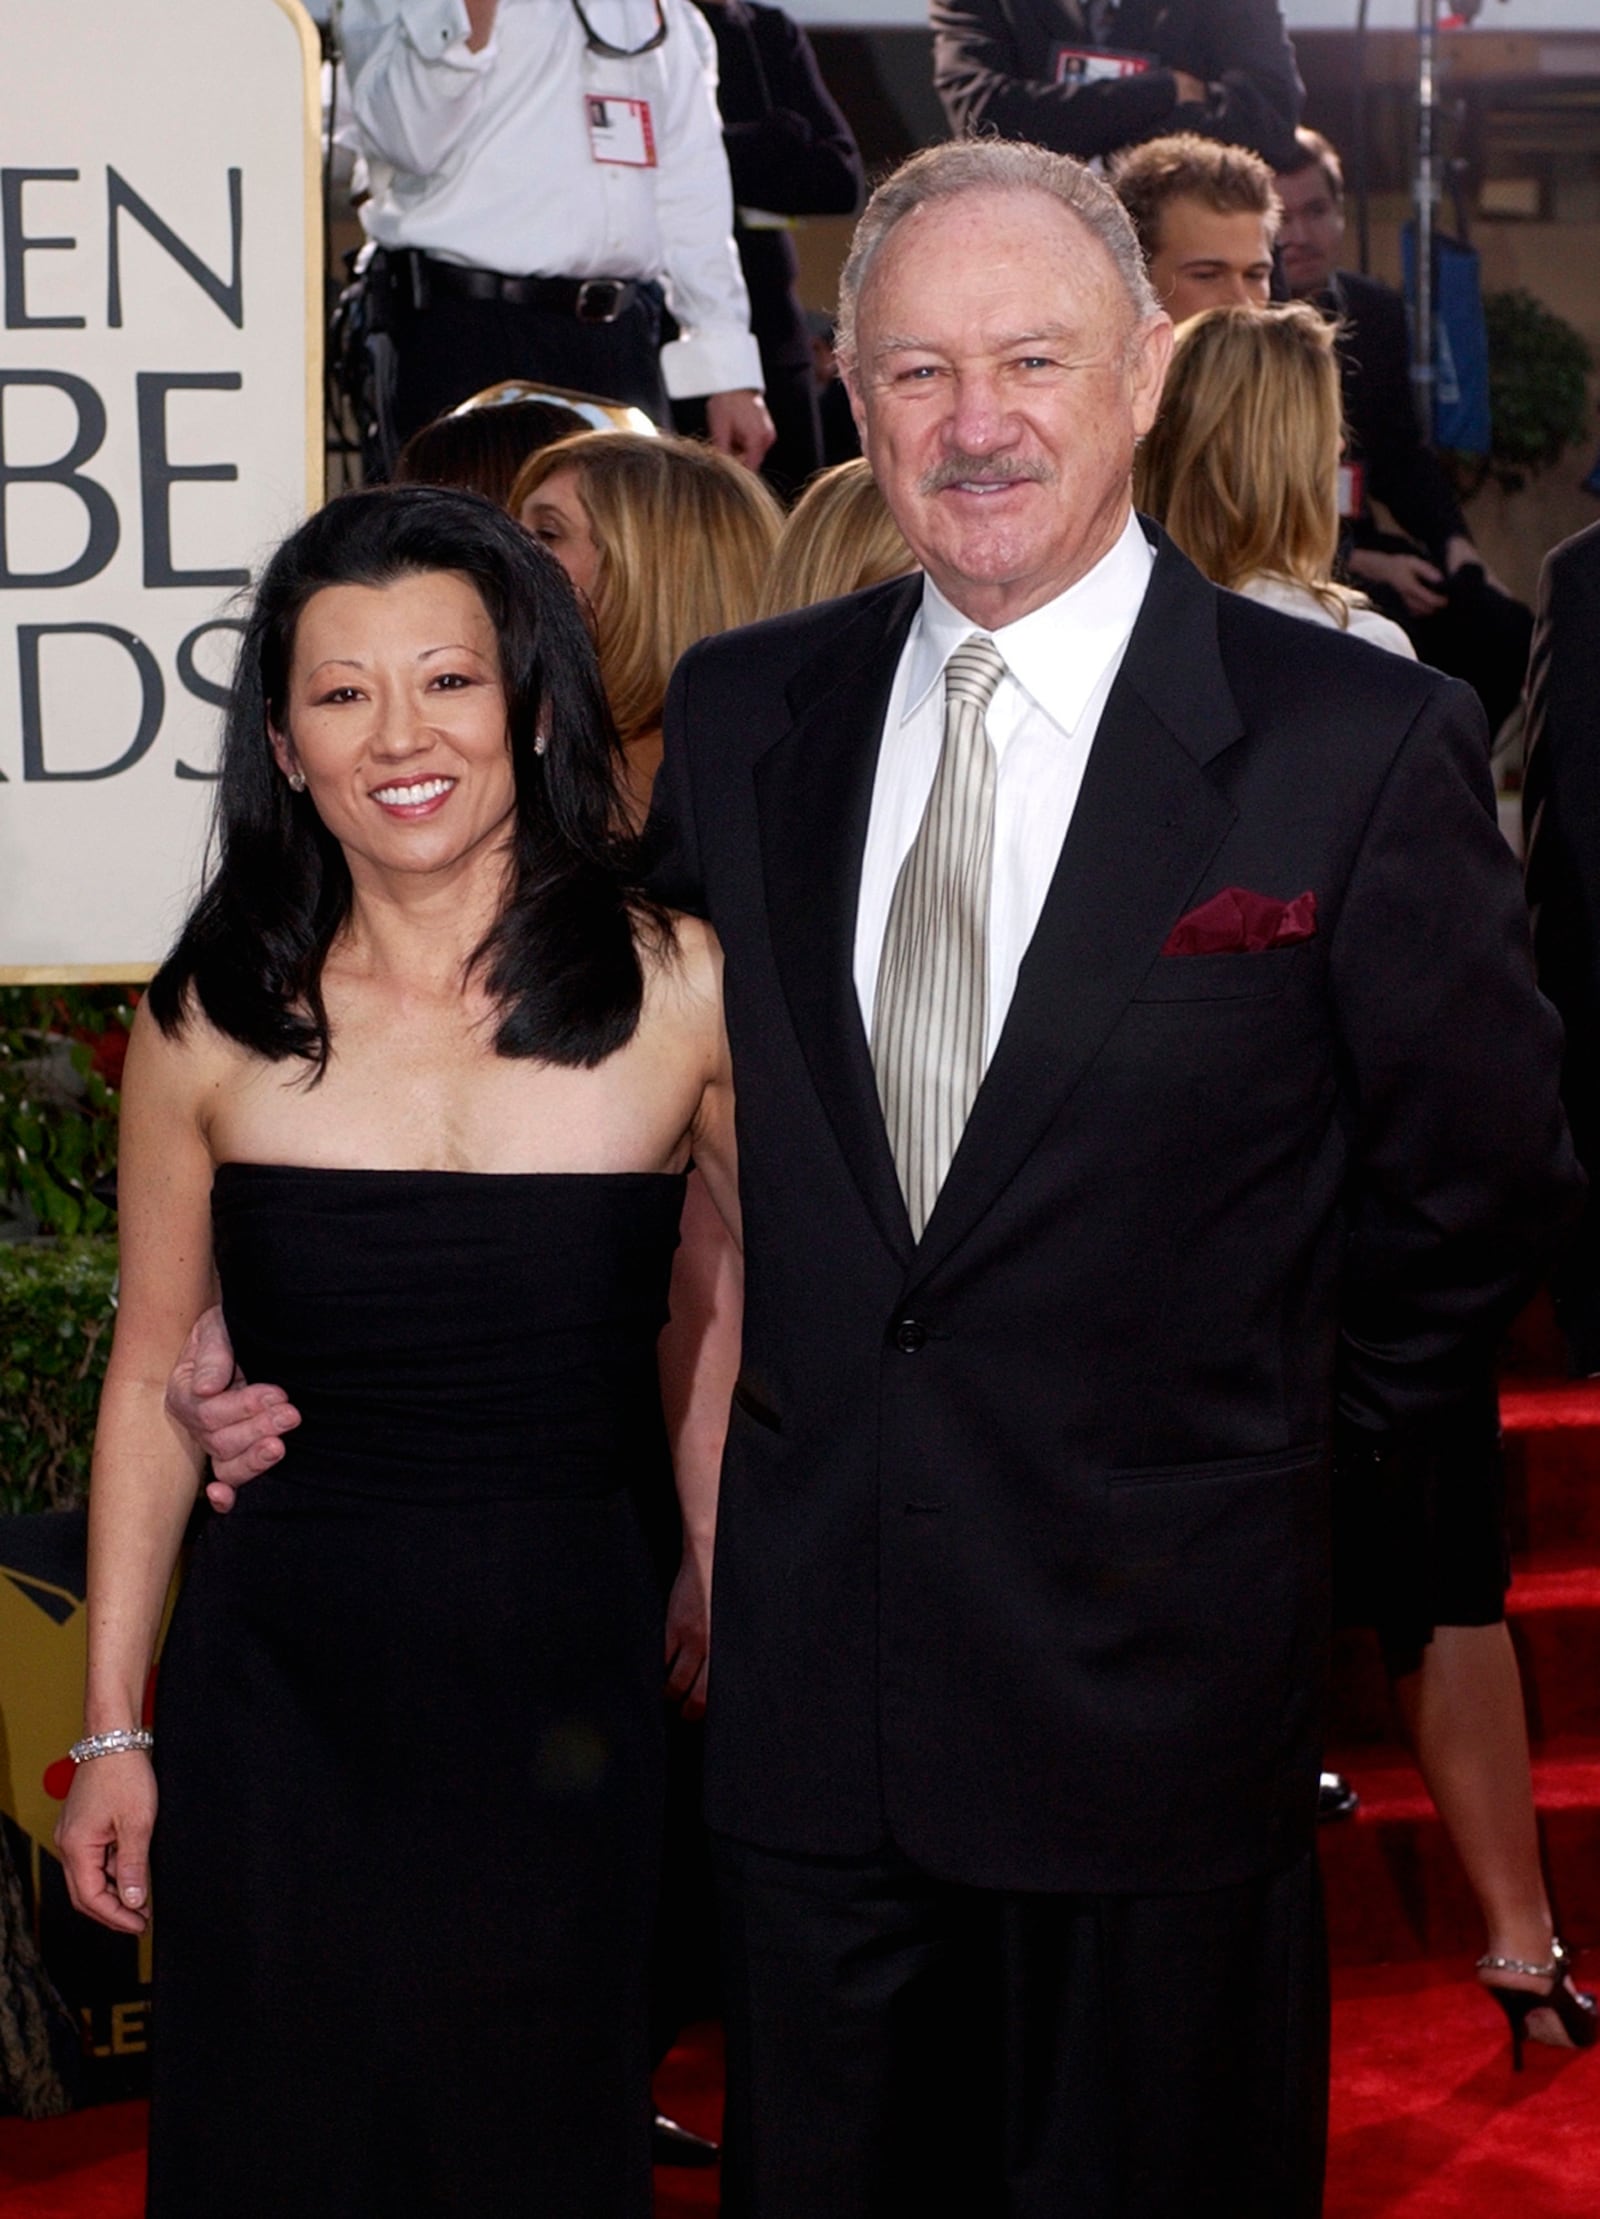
(1022, 1550)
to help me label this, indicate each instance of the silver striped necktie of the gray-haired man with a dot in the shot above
(933, 997)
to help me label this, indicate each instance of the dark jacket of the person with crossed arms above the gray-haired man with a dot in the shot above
(995, 72)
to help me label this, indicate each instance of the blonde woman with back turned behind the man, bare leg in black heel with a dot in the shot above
(1242, 467)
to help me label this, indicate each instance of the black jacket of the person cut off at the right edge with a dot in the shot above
(1561, 815)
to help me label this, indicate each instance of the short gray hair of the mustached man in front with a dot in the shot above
(991, 168)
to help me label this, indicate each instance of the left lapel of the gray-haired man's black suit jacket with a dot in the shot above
(813, 804)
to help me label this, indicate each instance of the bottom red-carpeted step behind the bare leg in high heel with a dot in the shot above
(1395, 1887)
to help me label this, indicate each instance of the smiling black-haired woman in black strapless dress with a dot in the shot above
(421, 1086)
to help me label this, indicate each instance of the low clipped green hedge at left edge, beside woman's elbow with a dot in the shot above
(57, 1308)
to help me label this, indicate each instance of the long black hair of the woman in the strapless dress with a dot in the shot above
(563, 957)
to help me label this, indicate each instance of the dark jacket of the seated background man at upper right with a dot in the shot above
(1375, 363)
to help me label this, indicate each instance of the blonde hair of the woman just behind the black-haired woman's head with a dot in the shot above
(685, 545)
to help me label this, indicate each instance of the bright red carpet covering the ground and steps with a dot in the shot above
(1428, 2118)
